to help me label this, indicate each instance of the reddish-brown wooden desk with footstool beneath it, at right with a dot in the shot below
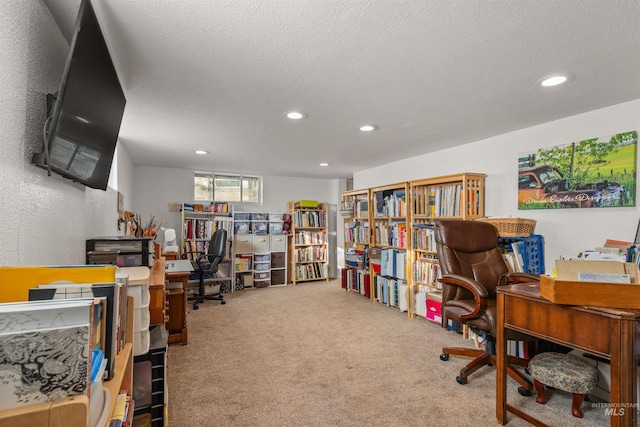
(608, 333)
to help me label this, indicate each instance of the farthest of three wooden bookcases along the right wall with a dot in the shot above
(355, 212)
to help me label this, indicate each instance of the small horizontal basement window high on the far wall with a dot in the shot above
(227, 187)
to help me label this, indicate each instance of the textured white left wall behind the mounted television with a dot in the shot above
(45, 219)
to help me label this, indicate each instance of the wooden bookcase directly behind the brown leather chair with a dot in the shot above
(451, 196)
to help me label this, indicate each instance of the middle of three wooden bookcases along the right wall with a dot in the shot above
(391, 238)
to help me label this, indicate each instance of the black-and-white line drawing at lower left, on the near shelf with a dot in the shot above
(43, 365)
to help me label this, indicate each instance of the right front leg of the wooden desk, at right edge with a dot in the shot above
(624, 375)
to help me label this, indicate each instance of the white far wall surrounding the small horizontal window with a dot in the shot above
(155, 188)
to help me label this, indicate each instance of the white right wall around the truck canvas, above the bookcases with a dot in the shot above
(566, 231)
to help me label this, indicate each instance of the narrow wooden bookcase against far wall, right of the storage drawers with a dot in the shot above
(310, 250)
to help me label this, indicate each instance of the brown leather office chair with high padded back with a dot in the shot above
(472, 267)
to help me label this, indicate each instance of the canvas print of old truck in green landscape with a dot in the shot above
(593, 173)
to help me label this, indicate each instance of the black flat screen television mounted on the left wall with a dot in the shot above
(82, 131)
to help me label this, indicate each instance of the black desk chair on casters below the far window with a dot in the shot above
(207, 265)
